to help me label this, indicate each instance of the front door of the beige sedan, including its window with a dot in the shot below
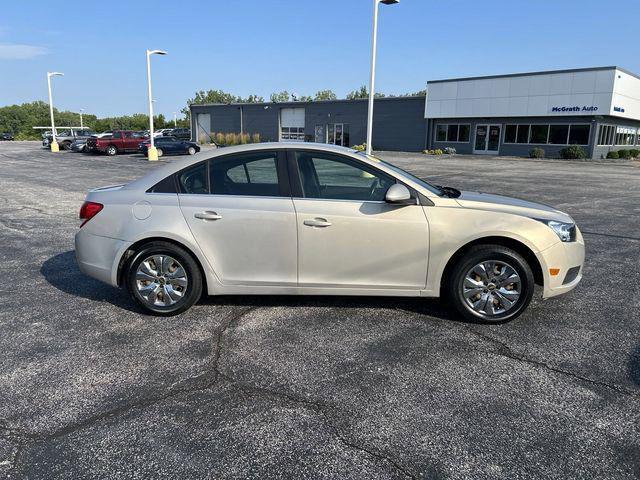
(348, 236)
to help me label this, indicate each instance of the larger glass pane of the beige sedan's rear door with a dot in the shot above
(252, 174)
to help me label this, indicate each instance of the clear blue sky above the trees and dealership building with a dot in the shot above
(302, 46)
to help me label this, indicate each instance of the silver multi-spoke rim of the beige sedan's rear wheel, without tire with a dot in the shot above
(161, 281)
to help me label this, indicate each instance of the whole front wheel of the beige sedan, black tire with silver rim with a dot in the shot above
(499, 294)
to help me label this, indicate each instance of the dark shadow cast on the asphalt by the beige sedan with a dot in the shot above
(63, 273)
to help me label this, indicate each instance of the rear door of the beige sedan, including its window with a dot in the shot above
(240, 211)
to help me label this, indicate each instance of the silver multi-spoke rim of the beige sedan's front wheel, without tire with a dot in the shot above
(491, 288)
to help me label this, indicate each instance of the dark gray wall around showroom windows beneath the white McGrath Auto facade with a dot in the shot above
(516, 150)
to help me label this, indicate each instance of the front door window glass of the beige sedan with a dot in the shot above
(339, 178)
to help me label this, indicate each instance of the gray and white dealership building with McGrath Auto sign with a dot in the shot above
(596, 108)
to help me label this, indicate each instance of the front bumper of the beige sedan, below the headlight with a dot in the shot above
(566, 257)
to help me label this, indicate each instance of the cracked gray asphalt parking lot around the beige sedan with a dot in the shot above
(320, 387)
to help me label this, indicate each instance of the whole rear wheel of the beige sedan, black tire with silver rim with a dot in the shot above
(150, 292)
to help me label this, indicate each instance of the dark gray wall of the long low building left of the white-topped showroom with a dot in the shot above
(399, 123)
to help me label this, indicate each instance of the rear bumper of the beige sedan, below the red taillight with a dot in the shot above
(98, 256)
